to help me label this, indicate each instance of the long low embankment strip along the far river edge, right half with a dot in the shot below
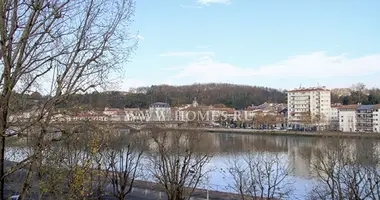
(284, 132)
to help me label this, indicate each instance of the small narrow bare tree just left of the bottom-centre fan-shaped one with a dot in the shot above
(124, 166)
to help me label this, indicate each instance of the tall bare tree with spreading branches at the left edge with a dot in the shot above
(75, 44)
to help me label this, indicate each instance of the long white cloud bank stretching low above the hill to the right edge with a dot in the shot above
(314, 65)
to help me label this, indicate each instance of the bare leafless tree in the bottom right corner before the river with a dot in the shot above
(340, 175)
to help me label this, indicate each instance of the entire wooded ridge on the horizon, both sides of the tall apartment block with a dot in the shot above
(231, 95)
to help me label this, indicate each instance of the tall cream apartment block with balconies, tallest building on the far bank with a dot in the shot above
(306, 105)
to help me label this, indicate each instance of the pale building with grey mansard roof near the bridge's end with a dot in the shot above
(159, 111)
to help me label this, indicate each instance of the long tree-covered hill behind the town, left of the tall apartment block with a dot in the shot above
(231, 95)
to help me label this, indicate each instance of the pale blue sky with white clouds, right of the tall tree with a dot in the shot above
(281, 44)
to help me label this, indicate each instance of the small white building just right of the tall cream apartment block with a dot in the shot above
(347, 118)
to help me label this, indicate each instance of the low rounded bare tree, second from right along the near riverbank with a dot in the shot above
(259, 176)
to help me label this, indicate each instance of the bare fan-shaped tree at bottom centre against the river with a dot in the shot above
(178, 162)
